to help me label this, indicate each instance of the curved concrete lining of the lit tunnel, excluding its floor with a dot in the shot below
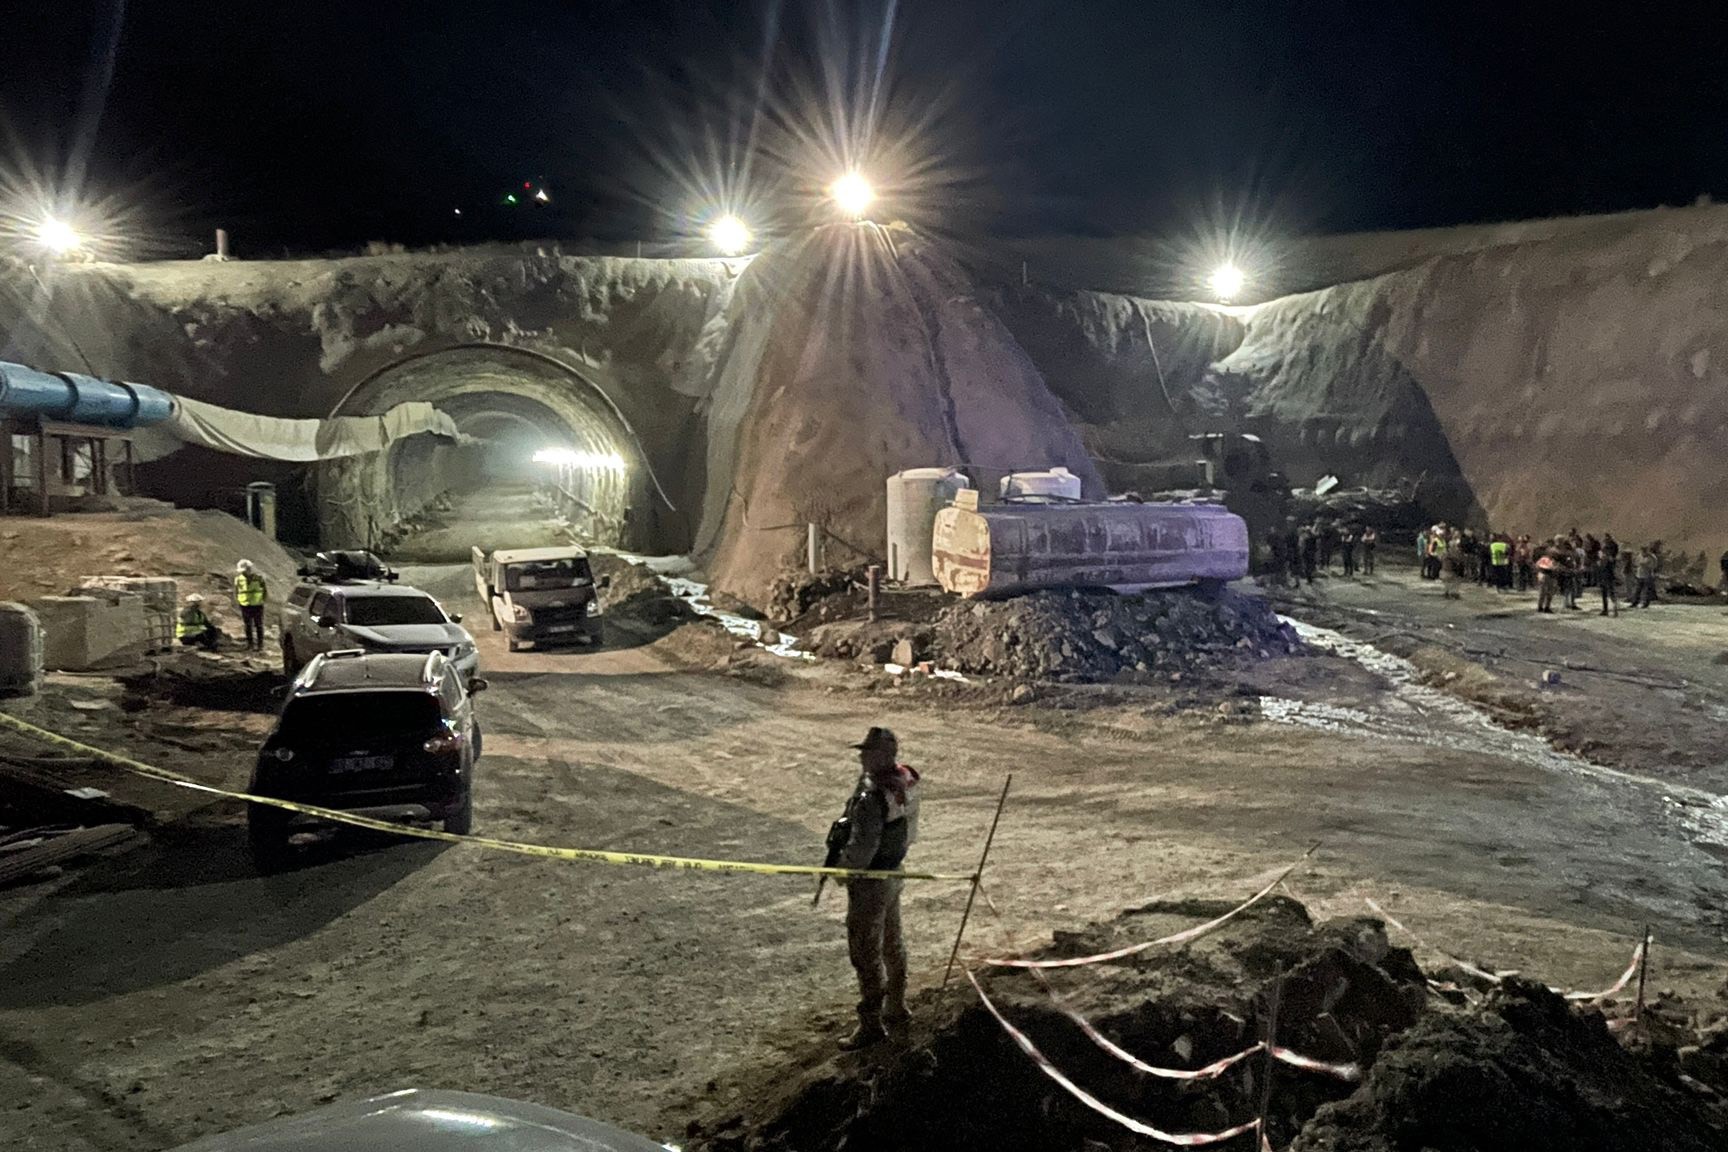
(505, 396)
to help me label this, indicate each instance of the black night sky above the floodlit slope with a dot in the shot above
(319, 125)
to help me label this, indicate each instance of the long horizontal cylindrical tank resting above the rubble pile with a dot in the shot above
(1017, 548)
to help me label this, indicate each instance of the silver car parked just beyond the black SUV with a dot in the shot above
(322, 617)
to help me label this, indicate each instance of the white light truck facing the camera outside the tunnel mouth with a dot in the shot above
(542, 597)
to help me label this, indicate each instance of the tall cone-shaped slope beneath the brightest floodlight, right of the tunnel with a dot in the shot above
(863, 351)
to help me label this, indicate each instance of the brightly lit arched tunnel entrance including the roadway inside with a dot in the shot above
(542, 446)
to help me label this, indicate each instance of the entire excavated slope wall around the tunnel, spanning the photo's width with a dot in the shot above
(1539, 376)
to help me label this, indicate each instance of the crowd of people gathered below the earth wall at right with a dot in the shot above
(1561, 569)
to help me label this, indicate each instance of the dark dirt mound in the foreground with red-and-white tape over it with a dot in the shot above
(1520, 1072)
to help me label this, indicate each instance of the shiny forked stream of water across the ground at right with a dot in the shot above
(1426, 716)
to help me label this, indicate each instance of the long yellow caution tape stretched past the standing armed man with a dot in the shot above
(480, 842)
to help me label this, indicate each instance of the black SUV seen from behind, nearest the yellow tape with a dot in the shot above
(383, 735)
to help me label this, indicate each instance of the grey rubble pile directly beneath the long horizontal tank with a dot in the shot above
(1096, 636)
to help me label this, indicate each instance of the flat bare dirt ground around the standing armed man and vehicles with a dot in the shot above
(168, 992)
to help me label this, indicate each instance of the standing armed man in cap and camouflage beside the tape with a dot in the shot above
(882, 820)
